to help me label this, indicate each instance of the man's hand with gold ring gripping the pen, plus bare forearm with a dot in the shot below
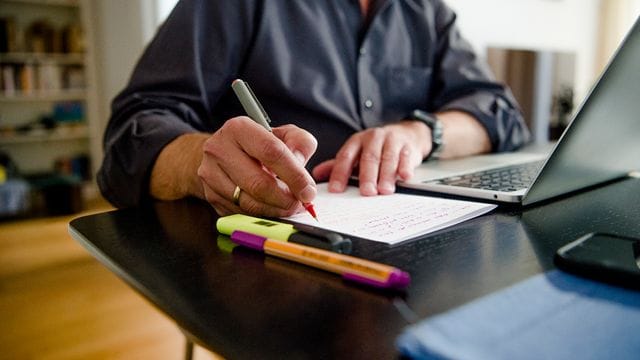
(268, 169)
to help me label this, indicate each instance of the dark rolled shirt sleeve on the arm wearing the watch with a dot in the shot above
(465, 83)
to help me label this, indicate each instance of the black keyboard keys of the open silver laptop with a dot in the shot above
(509, 178)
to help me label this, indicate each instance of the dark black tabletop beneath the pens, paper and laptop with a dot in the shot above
(243, 304)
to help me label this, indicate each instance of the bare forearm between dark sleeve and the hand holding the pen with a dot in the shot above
(174, 174)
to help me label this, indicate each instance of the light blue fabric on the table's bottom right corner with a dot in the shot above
(550, 316)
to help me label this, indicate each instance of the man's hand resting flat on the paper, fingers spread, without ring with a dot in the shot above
(382, 155)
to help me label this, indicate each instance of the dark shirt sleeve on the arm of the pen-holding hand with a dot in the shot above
(170, 92)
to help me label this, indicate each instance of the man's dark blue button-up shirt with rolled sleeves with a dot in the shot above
(318, 64)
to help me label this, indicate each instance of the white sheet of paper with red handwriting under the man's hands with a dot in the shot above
(387, 218)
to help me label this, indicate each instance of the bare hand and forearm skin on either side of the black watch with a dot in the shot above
(385, 154)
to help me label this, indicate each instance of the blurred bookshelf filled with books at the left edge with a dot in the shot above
(47, 92)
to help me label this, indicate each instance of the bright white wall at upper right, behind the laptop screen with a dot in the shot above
(555, 25)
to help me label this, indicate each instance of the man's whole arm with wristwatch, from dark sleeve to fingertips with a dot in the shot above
(478, 115)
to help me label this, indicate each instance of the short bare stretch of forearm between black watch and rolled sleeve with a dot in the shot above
(463, 135)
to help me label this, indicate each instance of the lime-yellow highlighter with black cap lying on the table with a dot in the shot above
(299, 234)
